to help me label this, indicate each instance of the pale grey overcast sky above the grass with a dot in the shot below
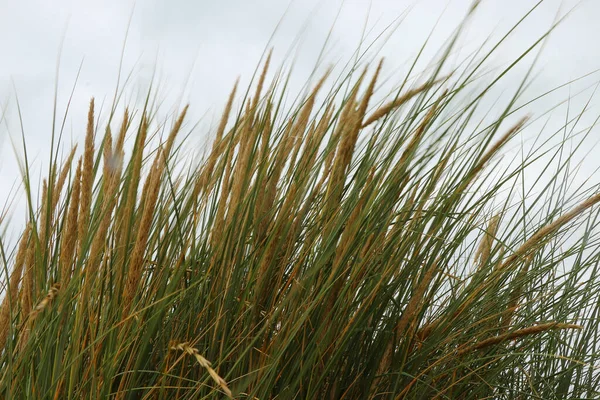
(212, 42)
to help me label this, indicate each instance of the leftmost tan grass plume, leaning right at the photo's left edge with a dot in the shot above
(11, 293)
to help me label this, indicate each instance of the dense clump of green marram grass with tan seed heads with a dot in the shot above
(339, 248)
